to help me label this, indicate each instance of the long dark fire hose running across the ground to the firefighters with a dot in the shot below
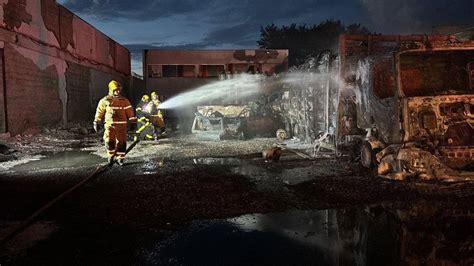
(30, 220)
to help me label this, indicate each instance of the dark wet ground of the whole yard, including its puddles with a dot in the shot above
(183, 201)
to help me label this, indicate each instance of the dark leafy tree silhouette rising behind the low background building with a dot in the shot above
(305, 41)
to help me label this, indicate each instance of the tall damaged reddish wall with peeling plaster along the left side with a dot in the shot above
(54, 66)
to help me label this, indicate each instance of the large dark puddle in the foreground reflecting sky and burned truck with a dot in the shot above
(356, 236)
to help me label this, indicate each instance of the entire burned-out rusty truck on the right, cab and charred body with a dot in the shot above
(410, 100)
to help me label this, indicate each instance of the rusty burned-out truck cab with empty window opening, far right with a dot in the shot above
(436, 91)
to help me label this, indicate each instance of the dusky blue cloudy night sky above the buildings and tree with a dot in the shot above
(226, 24)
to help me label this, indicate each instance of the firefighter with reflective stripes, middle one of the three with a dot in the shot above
(145, 128)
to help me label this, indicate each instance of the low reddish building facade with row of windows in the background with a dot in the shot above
(173, 71)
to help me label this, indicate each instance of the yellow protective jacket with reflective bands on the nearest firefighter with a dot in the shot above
(114, 110)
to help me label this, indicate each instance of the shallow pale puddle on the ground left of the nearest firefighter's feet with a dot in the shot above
(61, 160)
